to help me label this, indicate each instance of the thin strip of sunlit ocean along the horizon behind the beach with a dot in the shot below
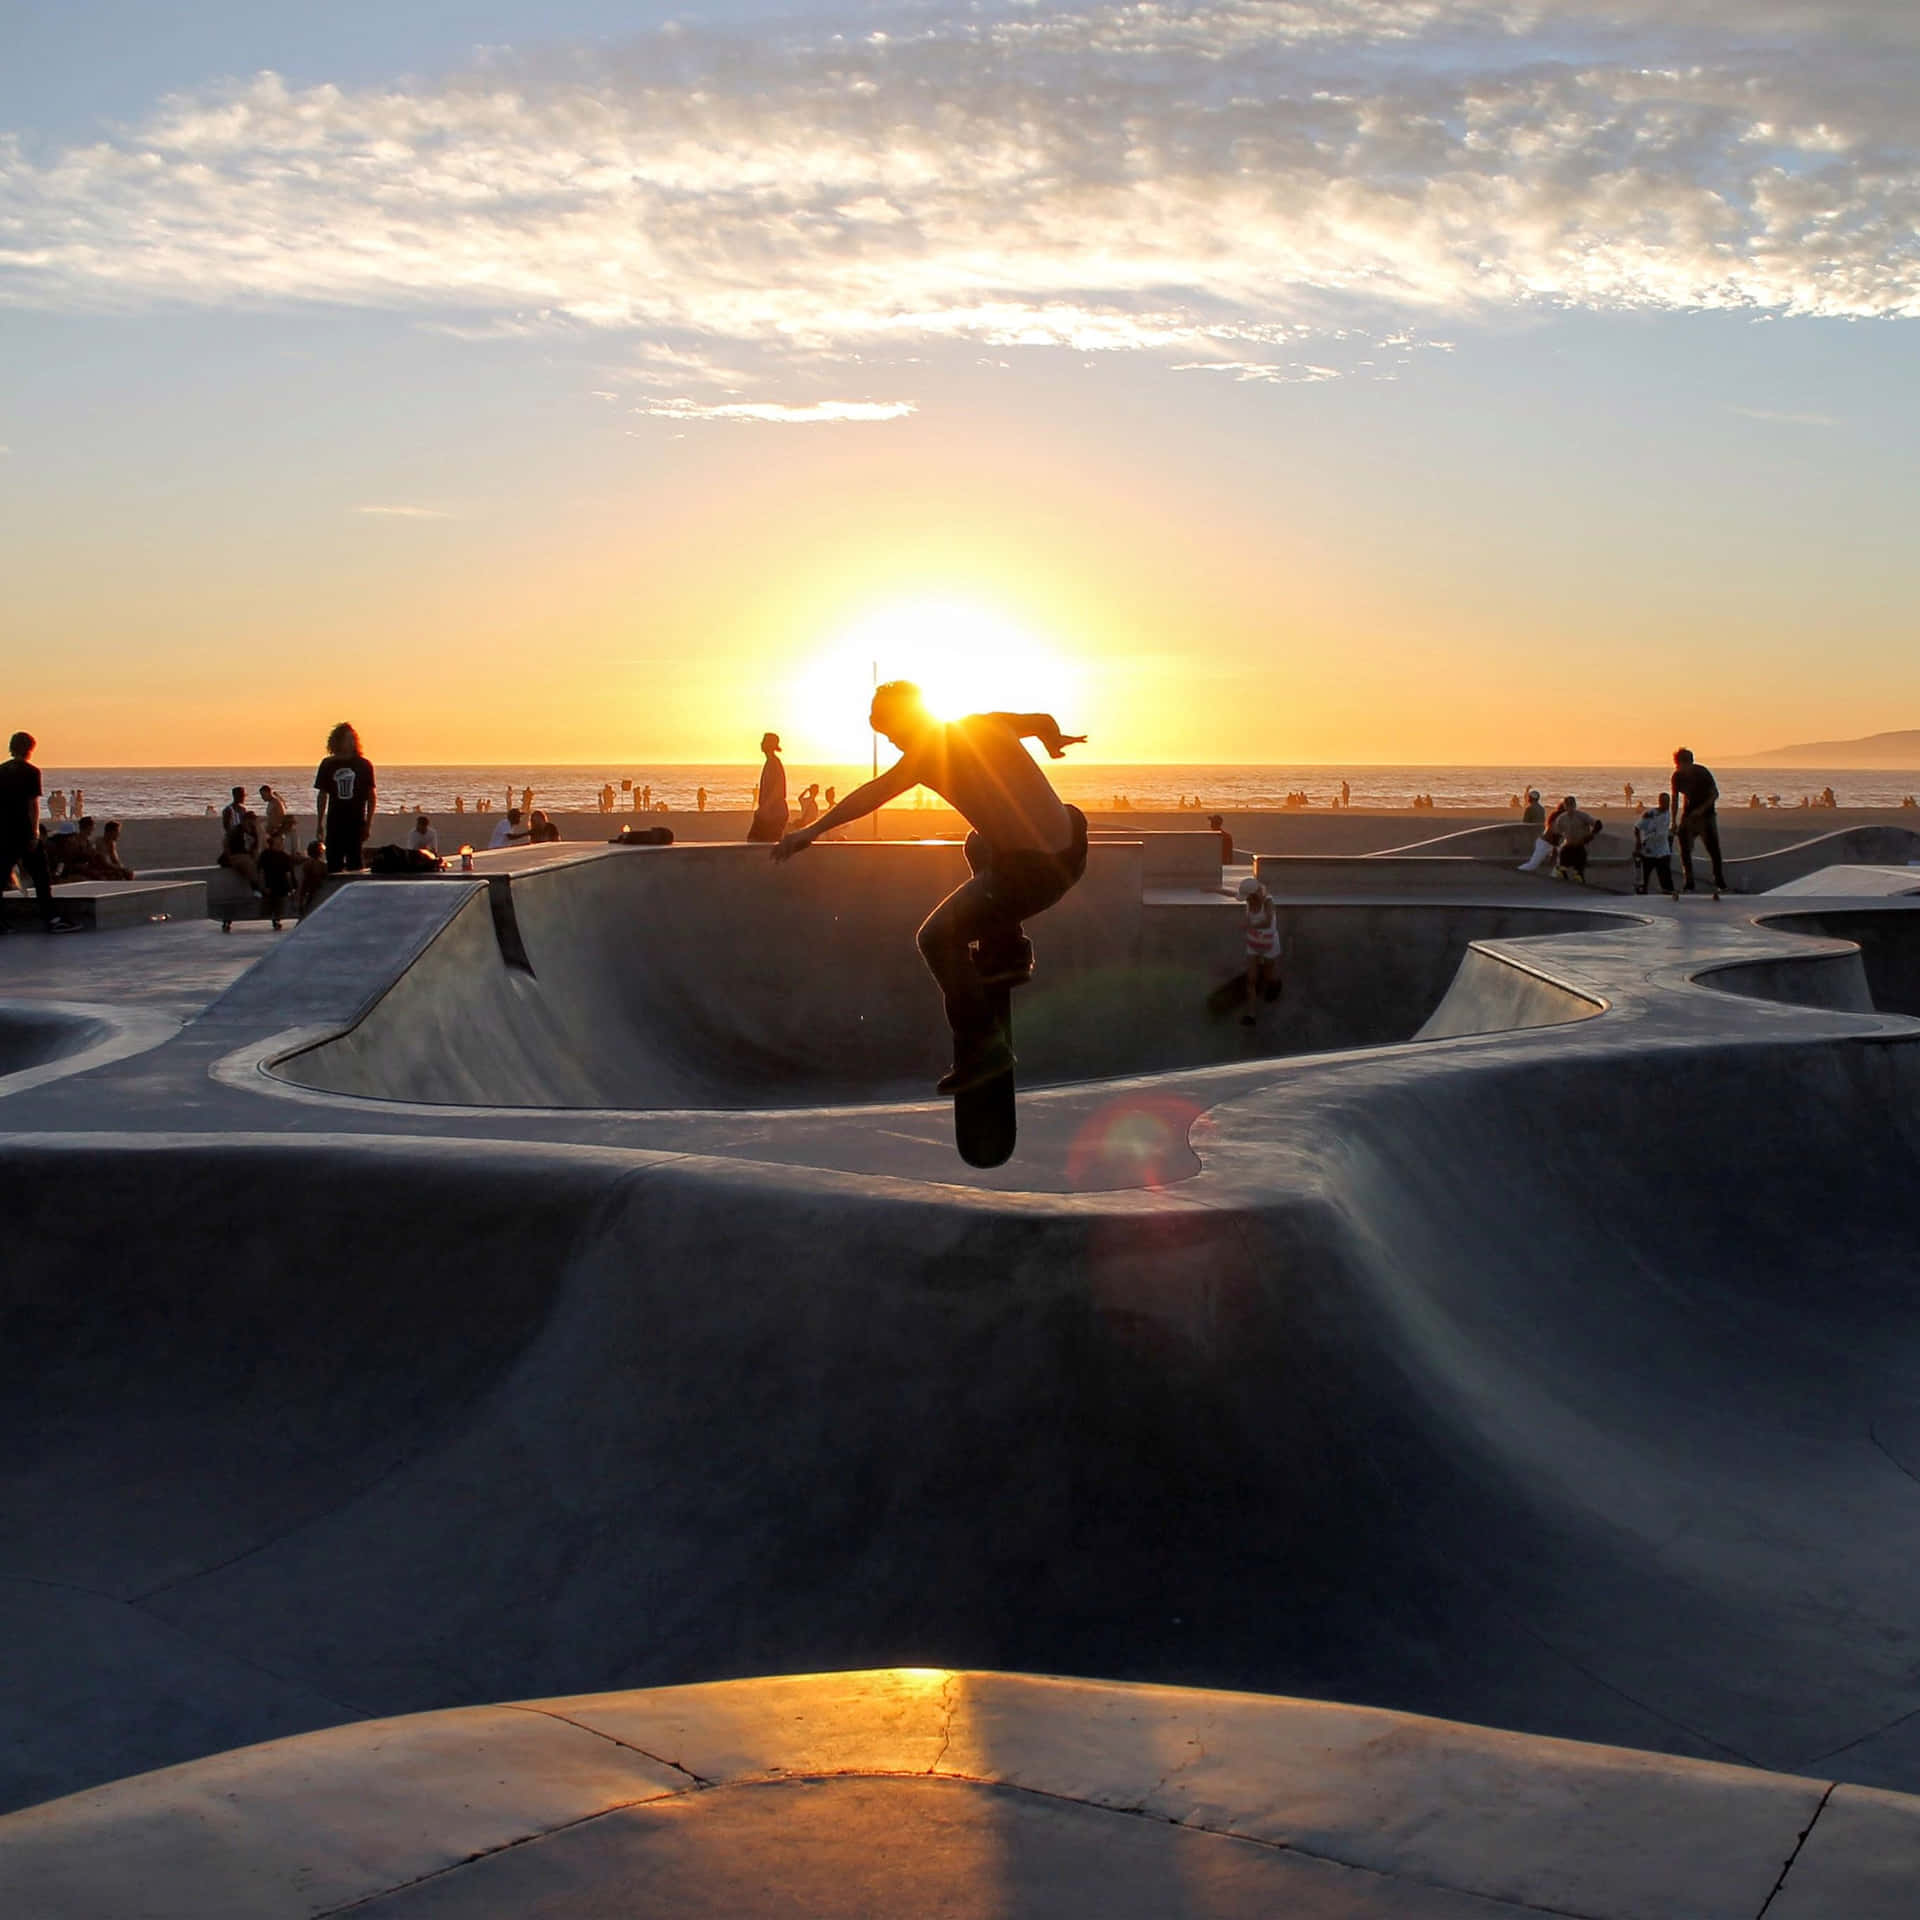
(147, 792)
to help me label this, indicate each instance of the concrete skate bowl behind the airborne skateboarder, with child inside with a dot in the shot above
(708, 978)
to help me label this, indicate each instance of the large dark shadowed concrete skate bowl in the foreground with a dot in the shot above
(1378, 1408)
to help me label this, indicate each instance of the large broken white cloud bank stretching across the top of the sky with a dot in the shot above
(1203, 183)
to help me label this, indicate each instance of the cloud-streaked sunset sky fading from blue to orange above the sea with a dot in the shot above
(1330, 379)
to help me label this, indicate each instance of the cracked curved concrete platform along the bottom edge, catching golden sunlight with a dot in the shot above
(955, 1794)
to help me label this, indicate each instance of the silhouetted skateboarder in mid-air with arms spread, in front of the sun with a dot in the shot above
(1028, 848)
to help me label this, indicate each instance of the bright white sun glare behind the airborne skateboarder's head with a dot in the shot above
(963, 658)
